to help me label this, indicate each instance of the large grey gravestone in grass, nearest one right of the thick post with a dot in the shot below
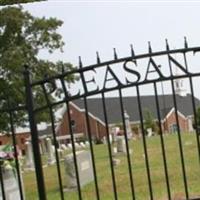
(84, 165)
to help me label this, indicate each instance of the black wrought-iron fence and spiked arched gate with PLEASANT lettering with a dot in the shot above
(133, 79)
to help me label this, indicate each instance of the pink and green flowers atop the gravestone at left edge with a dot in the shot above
(7, 157)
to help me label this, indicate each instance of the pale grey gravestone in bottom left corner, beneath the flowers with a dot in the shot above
(11, 186)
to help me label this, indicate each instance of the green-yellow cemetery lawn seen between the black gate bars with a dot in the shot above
(192, 167)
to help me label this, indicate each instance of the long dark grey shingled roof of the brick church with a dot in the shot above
(95, 106)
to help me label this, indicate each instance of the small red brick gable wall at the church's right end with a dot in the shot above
(171, 119)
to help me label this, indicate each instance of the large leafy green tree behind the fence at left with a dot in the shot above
(22, 38)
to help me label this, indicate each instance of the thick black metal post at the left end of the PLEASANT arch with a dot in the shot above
(34, 136)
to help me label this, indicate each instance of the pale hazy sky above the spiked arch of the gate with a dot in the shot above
(91, 26)
